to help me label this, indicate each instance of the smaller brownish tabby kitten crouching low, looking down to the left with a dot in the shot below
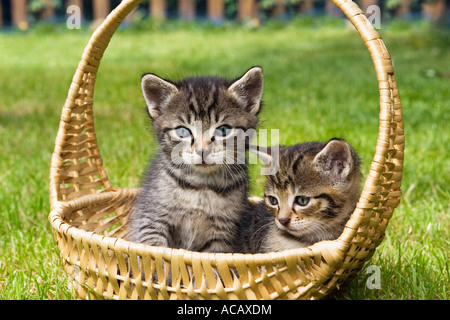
(308, 200)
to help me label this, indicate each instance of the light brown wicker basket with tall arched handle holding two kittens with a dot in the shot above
(88, 214)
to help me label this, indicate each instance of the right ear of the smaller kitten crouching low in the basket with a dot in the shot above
(335, 160)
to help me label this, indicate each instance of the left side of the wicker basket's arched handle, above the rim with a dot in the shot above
(76, 165)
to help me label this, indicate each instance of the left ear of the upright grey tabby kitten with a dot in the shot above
(157, 93)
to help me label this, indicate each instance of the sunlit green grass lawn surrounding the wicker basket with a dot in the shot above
(319, 83)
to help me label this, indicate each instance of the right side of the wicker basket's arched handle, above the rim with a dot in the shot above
(381, 191)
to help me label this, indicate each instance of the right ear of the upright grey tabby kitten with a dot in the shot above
(248, 89)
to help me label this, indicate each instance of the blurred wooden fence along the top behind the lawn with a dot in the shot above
(22, 13)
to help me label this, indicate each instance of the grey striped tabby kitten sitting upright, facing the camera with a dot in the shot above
(190, 198)
